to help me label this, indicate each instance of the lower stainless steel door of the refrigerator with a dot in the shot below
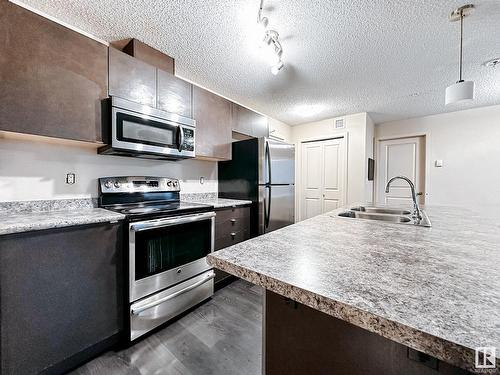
(276, 207)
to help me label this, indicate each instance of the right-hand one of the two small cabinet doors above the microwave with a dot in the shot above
(174, 94)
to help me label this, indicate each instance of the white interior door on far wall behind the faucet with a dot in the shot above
(400, 157)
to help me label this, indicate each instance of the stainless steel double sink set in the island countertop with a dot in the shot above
(387, 214)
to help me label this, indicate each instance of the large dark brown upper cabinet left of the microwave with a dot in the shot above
(52, 79)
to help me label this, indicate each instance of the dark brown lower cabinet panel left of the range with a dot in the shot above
(60, 297)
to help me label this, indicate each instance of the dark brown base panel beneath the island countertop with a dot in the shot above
(300, 340)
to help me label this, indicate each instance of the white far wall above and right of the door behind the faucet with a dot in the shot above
(469, 144)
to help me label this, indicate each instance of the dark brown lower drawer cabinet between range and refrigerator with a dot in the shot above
(232, 225)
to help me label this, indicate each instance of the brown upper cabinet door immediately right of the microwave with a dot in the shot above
(213, 125)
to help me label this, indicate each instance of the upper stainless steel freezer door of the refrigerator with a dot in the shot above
(276, 162)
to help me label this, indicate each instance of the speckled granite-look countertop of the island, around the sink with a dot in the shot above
(436, 290)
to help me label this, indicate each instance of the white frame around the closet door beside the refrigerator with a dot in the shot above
(298, 165)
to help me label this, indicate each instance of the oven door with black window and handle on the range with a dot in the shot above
(165, 252)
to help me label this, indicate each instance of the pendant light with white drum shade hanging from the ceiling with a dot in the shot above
(461, 91)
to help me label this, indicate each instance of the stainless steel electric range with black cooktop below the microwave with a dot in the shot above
(168, 241)
